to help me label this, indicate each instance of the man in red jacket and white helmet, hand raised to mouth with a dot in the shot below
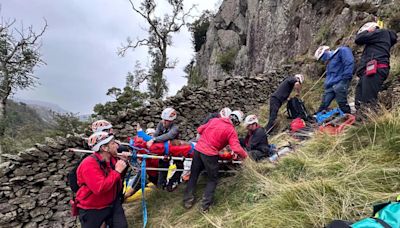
(100, 184)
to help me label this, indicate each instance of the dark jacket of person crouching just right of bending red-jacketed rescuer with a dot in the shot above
(257, 140)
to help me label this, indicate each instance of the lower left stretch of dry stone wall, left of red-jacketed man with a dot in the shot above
(33, 186)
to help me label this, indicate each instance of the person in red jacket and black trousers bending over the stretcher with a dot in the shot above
(214, 136)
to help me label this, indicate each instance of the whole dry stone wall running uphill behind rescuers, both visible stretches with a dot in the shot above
(33, 184)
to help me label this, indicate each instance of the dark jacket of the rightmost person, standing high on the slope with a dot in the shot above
(377, 46)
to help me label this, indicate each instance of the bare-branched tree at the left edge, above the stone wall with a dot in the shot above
(19, 54)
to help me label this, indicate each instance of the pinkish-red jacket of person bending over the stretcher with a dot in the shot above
(217, 134)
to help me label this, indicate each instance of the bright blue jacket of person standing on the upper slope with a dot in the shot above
(340, 67)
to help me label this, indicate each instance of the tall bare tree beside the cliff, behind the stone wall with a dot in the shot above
(158, 41)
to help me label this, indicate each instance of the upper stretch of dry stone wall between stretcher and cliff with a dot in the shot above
(194, 104)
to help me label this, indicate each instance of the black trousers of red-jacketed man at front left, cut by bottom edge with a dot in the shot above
(113, 216)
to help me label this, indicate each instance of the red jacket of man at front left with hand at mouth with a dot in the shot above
(97, 190)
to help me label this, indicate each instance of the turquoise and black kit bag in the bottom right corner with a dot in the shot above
(385, 215)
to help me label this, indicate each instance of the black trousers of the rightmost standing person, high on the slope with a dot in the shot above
(368, 88)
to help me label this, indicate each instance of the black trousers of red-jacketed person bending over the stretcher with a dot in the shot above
(200, 162)
